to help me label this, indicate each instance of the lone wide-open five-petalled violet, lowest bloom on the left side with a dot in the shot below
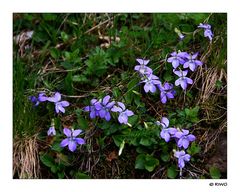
(72, 140)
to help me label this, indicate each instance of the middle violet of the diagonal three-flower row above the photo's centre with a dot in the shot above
(150, 83)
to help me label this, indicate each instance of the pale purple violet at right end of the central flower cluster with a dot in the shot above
(123, 112)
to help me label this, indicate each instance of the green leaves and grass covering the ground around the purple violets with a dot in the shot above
(86, 56)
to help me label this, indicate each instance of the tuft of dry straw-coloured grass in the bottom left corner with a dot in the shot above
(25, 158)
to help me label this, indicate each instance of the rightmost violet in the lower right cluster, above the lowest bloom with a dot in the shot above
(184, 138)
